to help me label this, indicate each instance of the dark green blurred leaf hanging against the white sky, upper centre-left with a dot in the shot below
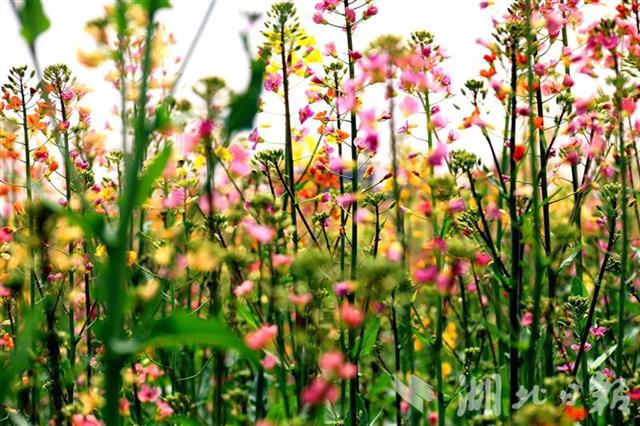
(244, 107)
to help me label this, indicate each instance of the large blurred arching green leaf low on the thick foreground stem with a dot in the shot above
(182, 328)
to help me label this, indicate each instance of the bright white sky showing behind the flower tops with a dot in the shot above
(456, 25)
